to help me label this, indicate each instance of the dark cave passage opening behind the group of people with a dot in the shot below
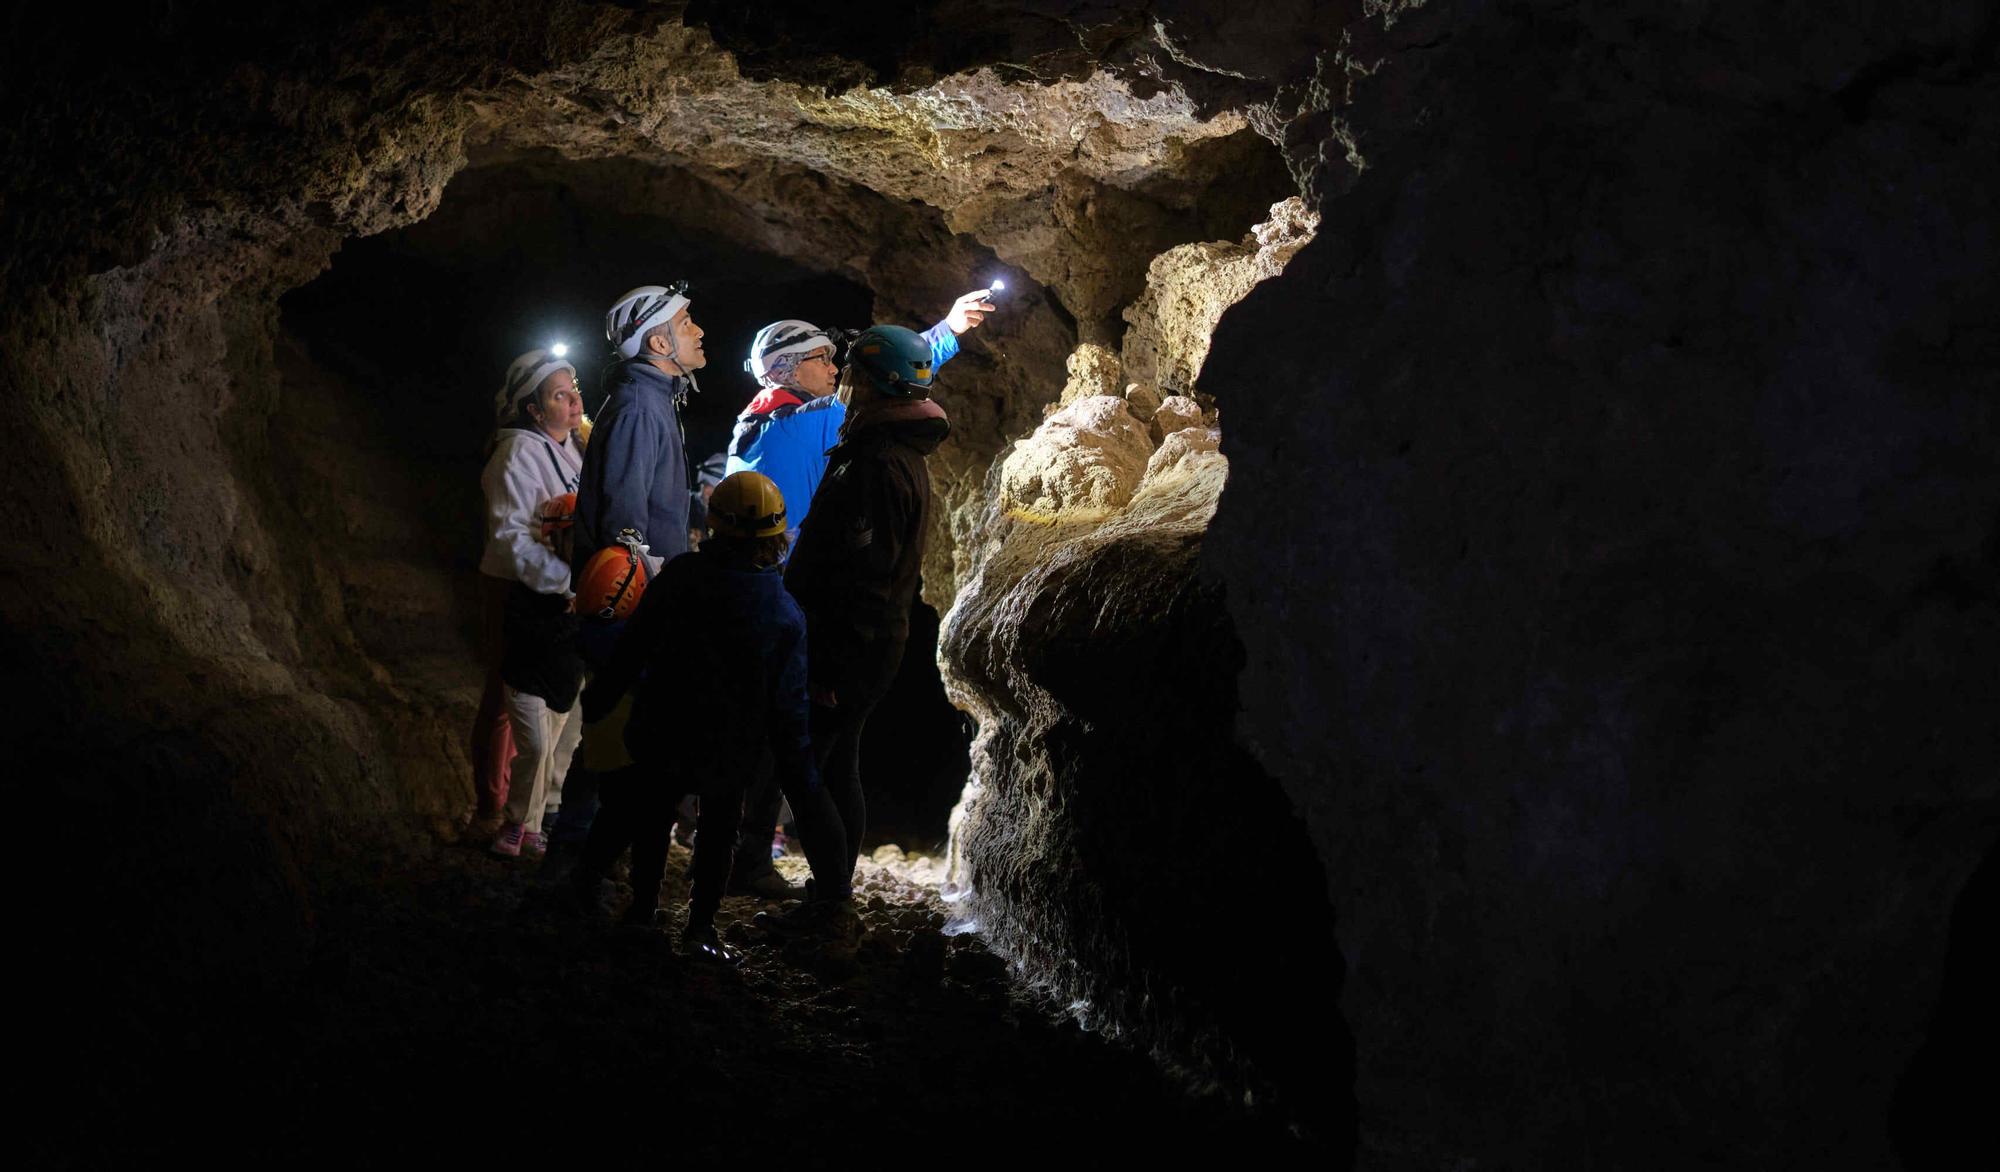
(393, 355)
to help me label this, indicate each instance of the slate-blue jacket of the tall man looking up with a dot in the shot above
(635, 471)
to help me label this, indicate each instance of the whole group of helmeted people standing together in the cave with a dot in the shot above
(737, 657)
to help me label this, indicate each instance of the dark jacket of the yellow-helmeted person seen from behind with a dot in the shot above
(719, 661)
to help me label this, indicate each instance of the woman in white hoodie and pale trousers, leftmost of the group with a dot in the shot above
(535, 459)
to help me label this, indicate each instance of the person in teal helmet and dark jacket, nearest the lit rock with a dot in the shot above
(859, 555)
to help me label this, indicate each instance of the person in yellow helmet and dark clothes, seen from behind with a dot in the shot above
(715, 665)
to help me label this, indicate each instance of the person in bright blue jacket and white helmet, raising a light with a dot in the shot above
(795, 419)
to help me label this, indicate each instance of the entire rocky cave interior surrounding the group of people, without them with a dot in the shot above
(1459, 629)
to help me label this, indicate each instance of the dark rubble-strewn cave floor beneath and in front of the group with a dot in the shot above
(455, 1011)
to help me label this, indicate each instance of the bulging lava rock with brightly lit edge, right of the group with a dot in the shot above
(1143, 869)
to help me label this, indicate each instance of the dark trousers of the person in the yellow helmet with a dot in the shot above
(639, 811)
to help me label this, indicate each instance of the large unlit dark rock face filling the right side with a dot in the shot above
(1617, 573)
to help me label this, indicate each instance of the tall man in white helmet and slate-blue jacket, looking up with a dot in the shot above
(635, 471)
